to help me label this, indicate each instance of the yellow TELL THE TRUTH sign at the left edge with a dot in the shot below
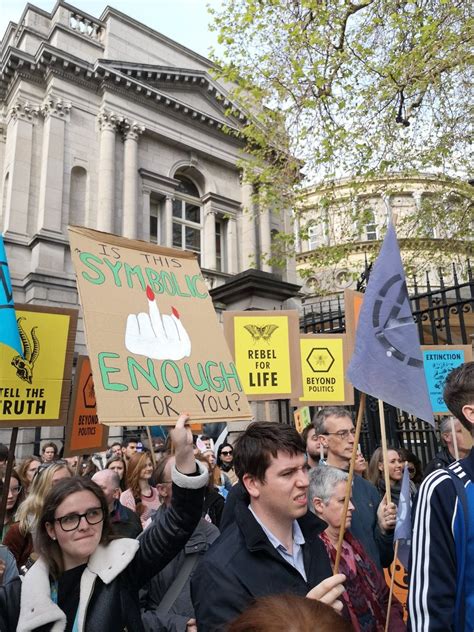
(34, 389)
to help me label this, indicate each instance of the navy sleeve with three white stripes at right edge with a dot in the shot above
(432, 583)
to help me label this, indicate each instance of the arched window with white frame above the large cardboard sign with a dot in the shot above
(187, 217)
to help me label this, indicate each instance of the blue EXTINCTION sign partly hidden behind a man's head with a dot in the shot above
(438, 362)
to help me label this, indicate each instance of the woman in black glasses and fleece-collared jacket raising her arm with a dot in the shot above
(84, 580)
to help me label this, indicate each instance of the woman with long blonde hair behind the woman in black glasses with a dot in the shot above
(19, 539)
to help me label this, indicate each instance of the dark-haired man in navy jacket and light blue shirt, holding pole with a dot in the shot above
(272, 547)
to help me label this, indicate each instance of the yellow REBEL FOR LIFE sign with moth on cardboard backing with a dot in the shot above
(265, 348)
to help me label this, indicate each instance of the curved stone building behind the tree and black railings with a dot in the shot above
(326, 214)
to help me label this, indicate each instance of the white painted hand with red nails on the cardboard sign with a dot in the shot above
(156, 336)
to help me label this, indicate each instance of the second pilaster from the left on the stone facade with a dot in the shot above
(56, 115)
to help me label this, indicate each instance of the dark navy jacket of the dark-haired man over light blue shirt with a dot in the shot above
(242, 565)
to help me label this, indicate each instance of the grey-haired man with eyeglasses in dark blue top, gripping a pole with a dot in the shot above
(373, 521)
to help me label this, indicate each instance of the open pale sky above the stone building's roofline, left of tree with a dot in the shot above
(185, 21)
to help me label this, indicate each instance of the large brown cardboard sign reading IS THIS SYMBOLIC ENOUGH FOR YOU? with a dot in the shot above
(155, 346)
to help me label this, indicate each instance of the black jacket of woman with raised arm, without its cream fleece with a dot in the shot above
(114, 605)
